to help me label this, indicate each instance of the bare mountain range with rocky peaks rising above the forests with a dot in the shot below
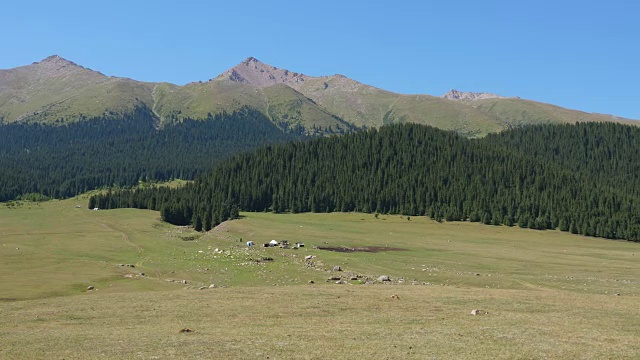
(56, 90)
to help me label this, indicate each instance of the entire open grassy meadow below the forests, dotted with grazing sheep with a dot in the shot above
(548, 294)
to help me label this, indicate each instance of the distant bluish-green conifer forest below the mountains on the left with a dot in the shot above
(65, 160)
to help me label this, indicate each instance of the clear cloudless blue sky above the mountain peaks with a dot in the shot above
(582, 55)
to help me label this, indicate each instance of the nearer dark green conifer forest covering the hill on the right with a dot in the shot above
(581, 178)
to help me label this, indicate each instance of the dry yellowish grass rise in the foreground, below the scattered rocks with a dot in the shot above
(324, 322)
